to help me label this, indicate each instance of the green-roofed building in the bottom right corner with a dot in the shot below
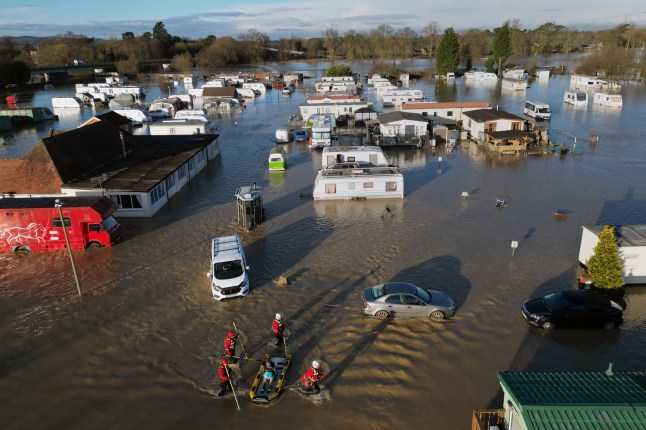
(567, 400)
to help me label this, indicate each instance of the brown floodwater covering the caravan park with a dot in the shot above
(138, 351)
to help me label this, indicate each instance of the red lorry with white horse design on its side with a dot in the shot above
(34, 224)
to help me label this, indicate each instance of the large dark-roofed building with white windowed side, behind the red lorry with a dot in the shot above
(139, 173)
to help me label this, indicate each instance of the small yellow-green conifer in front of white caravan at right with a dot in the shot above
(605, 265)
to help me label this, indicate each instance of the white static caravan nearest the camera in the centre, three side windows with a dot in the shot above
(359, 184)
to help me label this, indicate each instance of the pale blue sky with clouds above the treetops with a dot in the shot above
(304, 18)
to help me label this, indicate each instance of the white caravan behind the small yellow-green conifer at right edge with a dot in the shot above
(632, 249)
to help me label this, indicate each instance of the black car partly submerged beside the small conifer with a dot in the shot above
(572, 308)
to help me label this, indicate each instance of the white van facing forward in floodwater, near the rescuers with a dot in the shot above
(229, 269)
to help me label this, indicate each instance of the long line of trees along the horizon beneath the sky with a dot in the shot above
(382, 43)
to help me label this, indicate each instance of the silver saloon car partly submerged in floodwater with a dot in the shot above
(403, 299)
